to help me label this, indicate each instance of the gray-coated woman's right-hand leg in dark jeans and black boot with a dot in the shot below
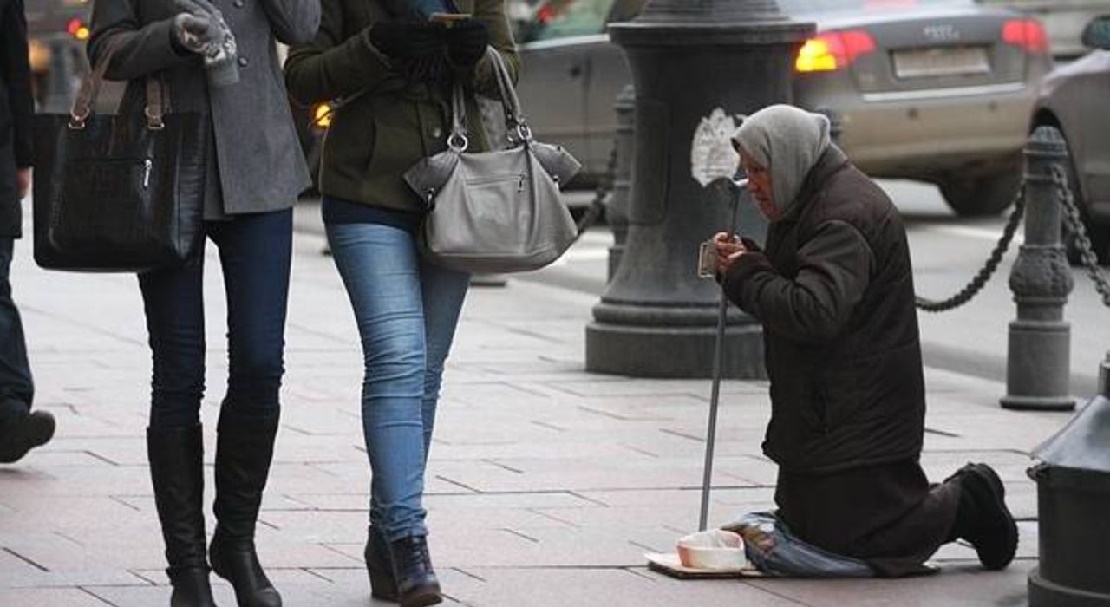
(256, 256)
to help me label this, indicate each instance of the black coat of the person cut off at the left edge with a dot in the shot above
(16, 109)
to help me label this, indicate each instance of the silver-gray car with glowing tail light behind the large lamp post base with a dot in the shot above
(931, 90)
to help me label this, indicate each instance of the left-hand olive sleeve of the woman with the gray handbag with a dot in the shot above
(334, 66)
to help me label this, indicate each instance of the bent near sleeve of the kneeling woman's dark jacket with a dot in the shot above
(813, 307)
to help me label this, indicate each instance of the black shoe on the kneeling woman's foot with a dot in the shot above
(983, 518)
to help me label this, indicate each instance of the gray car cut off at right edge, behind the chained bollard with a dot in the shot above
(1074, 98)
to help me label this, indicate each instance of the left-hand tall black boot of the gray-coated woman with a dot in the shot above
(177, 458)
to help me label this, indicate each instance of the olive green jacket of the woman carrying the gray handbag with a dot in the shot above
(387, 125)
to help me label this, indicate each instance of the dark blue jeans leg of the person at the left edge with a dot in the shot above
(17, 389)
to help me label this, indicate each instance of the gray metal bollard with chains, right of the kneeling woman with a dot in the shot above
(1040, 352)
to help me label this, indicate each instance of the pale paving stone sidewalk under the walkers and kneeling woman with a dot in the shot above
(547, 484)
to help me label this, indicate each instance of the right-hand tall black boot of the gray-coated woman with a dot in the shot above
(243, 467)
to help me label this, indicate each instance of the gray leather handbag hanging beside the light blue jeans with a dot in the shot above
(499, 211)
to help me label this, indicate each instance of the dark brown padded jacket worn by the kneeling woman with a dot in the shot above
(835, 295)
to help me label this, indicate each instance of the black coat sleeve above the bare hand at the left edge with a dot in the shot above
(16, 76)
